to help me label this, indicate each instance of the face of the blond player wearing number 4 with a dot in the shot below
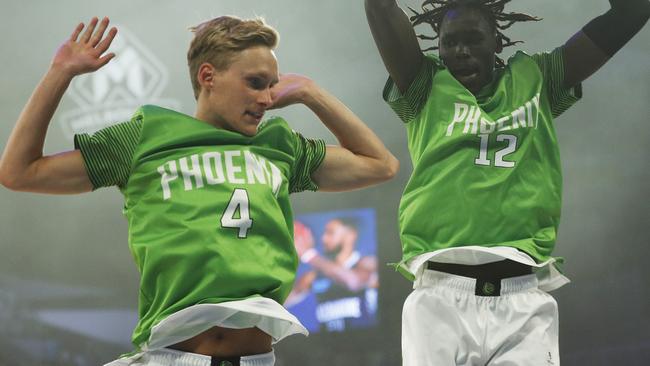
(241, 94)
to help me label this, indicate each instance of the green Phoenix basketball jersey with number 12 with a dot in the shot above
(486, 169)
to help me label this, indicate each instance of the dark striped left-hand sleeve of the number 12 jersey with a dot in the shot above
(408, 105)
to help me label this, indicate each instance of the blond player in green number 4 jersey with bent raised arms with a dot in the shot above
(206, 196)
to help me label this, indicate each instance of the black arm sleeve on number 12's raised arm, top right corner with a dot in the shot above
(612, 30)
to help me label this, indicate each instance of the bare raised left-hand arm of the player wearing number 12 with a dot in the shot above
(396, 40)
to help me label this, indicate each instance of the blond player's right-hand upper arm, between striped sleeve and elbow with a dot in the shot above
(342, 170)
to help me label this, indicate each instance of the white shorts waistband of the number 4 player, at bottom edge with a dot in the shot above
(166, 356)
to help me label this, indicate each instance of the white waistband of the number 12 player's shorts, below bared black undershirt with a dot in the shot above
(430, 278)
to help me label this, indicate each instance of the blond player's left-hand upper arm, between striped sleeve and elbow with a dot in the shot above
(64, 173)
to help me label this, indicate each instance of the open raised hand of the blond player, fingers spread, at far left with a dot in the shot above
(83, 53)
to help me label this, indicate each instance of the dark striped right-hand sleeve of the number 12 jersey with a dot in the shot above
(552, 67)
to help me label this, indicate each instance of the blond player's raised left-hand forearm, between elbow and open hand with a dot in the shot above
(25, 145)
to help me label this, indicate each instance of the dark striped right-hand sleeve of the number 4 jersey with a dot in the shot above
(310, 154)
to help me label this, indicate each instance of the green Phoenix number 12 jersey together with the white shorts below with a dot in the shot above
(486, 186)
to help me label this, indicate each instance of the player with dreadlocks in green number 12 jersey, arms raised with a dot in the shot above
(479, 215)
